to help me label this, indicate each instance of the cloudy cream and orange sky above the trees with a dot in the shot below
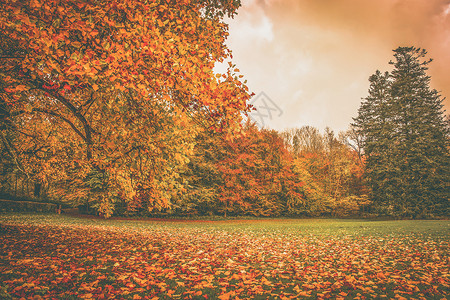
(308, 61)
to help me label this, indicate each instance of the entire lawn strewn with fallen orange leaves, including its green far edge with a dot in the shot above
(64, 257)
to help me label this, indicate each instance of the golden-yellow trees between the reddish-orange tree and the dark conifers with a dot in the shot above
(330, 169)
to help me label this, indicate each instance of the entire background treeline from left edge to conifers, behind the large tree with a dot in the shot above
(260, 172)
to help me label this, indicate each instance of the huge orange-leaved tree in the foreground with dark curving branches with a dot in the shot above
(102, 94)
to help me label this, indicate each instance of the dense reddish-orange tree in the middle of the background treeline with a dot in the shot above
(256, 173)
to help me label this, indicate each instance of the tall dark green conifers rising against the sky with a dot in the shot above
(406, 138)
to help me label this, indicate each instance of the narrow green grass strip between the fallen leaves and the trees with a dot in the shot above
(321, 227)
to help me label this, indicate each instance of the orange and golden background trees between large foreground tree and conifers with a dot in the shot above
(268, 173)
